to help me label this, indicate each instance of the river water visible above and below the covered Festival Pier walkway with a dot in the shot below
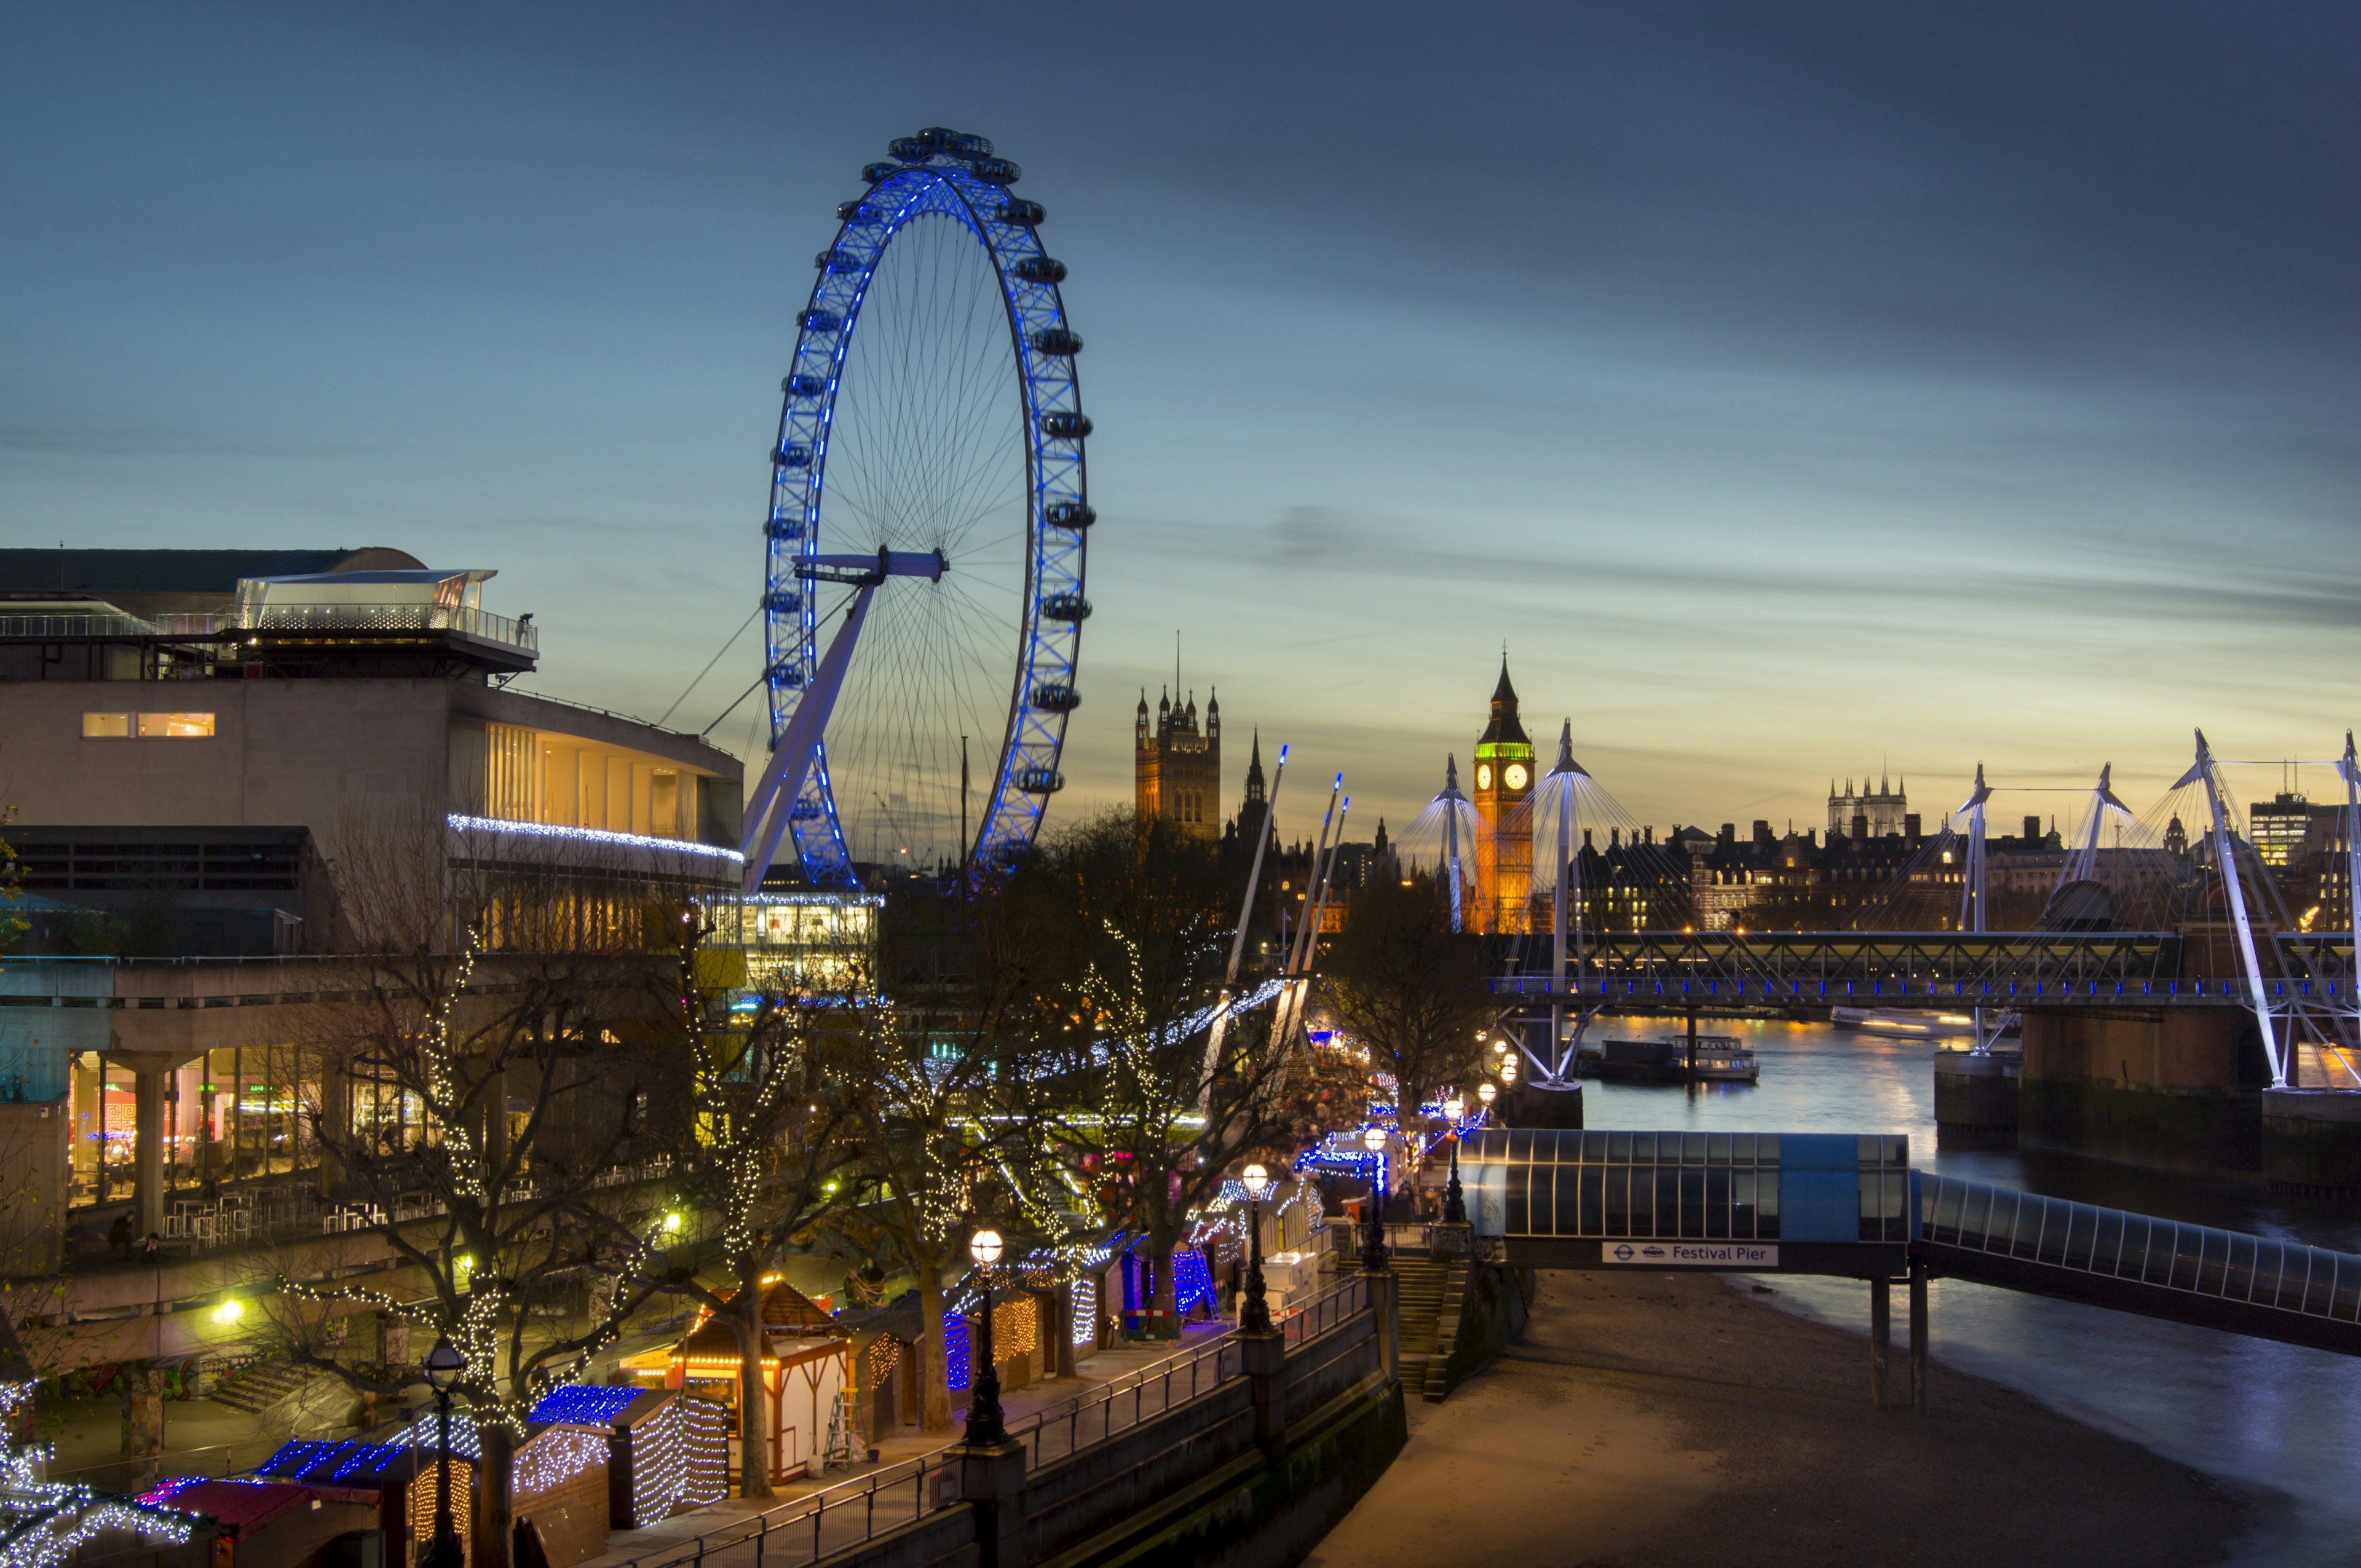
(2239, 1409)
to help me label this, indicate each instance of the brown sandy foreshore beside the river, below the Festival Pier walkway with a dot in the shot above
(1663, 1420)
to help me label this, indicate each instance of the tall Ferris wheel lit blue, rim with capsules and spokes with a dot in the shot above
(931, 405)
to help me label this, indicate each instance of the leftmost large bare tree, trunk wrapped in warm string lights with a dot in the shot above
(506, 1012)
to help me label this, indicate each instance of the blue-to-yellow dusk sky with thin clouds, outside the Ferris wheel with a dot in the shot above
(1791, 388)
